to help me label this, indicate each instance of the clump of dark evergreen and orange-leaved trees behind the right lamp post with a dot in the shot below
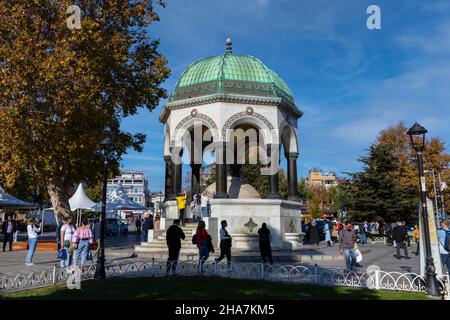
(388, 185)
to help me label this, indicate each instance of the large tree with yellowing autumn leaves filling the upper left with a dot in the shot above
(62, 90)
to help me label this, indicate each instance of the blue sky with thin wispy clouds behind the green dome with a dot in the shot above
(349, 81)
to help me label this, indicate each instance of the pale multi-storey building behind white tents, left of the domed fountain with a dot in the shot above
(135, 184)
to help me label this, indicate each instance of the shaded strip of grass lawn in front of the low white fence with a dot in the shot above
(205, 288)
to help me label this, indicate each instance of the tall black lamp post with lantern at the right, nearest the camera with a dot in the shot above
(417, 135)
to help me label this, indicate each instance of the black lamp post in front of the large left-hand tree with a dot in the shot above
(100, 269)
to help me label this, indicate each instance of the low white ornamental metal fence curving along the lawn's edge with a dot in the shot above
(376, 279)
